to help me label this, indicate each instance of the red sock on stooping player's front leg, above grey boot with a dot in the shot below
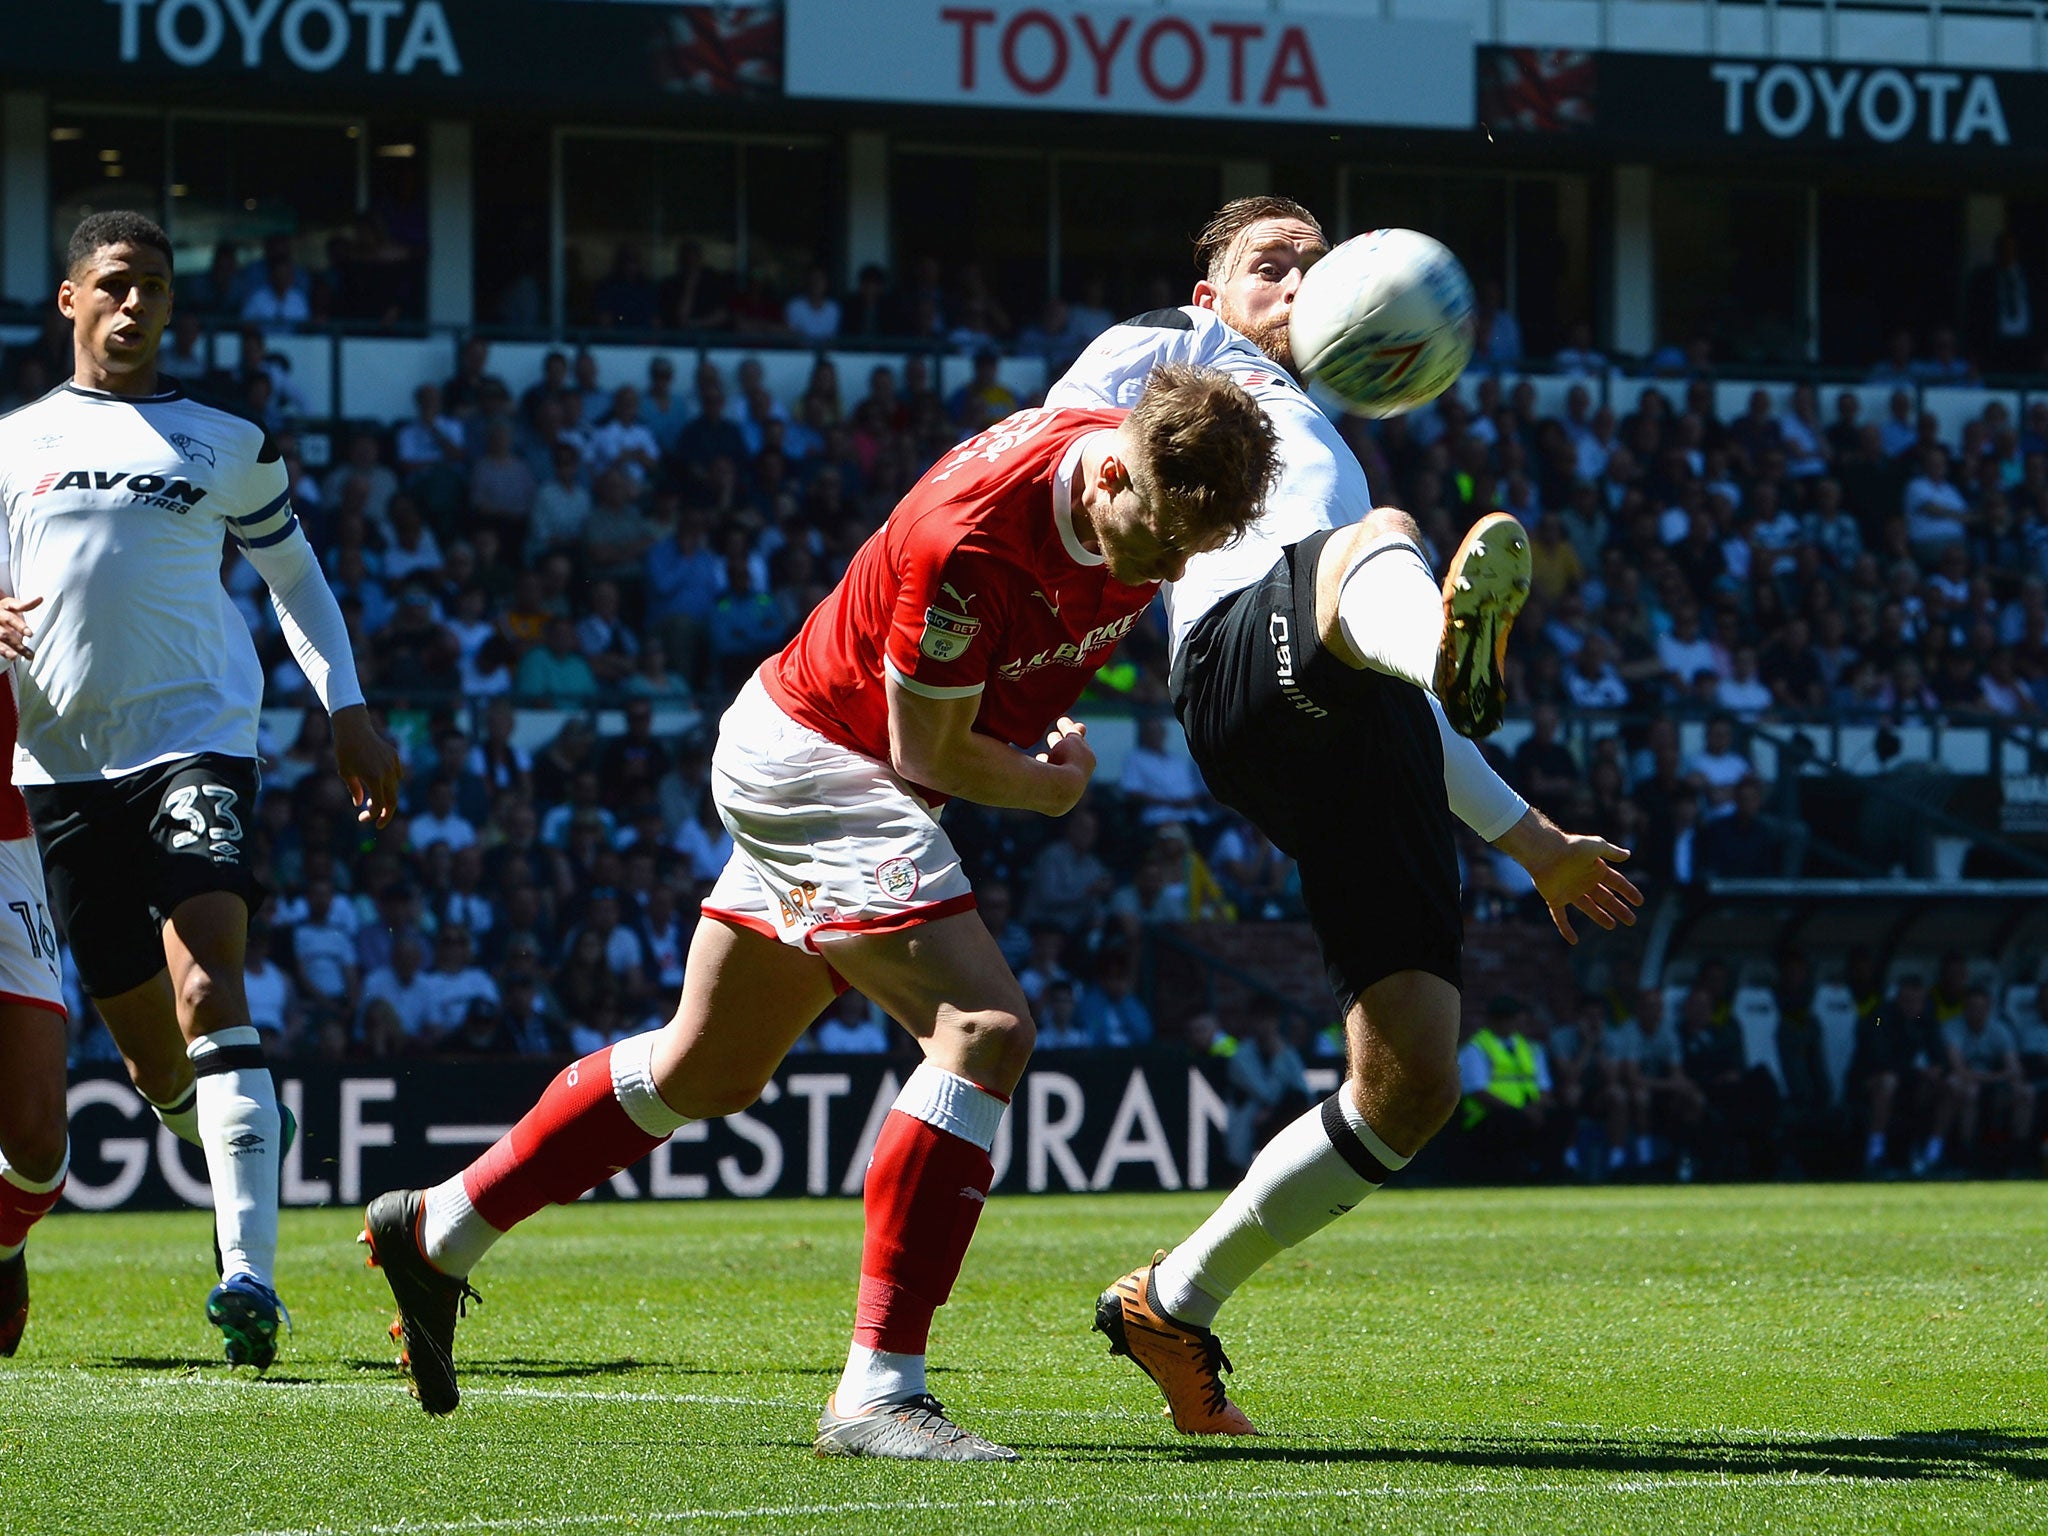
(925, 1195)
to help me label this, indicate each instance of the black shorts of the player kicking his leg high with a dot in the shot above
(1340, 767)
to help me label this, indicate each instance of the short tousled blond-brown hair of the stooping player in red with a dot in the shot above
(1205, 452)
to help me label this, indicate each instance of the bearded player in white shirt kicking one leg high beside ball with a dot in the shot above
(1304, 665)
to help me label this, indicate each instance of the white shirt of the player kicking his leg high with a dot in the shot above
(1322, 482)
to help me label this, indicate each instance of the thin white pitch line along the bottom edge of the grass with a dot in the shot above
(1052, 1502)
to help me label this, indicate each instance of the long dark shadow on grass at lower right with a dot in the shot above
(1912, 1457)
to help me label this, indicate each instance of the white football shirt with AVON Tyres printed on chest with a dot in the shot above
(118, 513)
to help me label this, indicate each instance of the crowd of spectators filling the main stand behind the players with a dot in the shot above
(640, 544)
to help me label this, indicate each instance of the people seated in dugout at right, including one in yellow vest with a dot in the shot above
(1947, 1078)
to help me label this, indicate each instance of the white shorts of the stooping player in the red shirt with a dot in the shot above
(826, 841)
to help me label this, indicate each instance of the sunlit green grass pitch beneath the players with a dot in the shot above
(1625, 1361)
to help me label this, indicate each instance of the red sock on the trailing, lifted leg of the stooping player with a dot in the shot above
(570, 1142)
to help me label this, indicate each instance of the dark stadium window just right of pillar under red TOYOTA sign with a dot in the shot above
(984, 208)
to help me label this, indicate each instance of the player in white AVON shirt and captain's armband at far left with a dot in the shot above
(138, 722)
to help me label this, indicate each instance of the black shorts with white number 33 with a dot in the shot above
(120, 855)
